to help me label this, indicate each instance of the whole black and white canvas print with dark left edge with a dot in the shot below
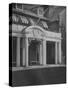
(37, 44)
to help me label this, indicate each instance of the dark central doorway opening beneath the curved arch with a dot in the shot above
(34, 52)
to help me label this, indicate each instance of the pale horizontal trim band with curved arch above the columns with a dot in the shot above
(47, 34)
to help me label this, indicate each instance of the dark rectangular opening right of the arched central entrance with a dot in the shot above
(50, 52)
